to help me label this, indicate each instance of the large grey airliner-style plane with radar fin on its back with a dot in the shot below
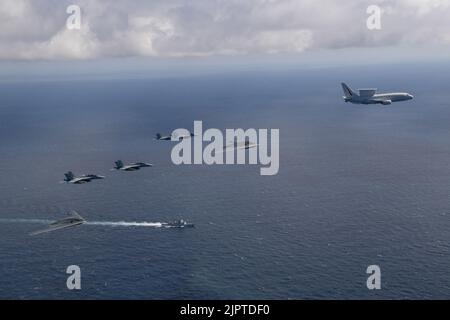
(369, 96)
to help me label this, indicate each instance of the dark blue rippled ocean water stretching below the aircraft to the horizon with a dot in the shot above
(358, 185)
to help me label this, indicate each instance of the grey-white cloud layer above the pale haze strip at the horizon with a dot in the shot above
(36, 29)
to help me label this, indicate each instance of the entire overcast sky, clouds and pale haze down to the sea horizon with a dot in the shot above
(119, 33)
